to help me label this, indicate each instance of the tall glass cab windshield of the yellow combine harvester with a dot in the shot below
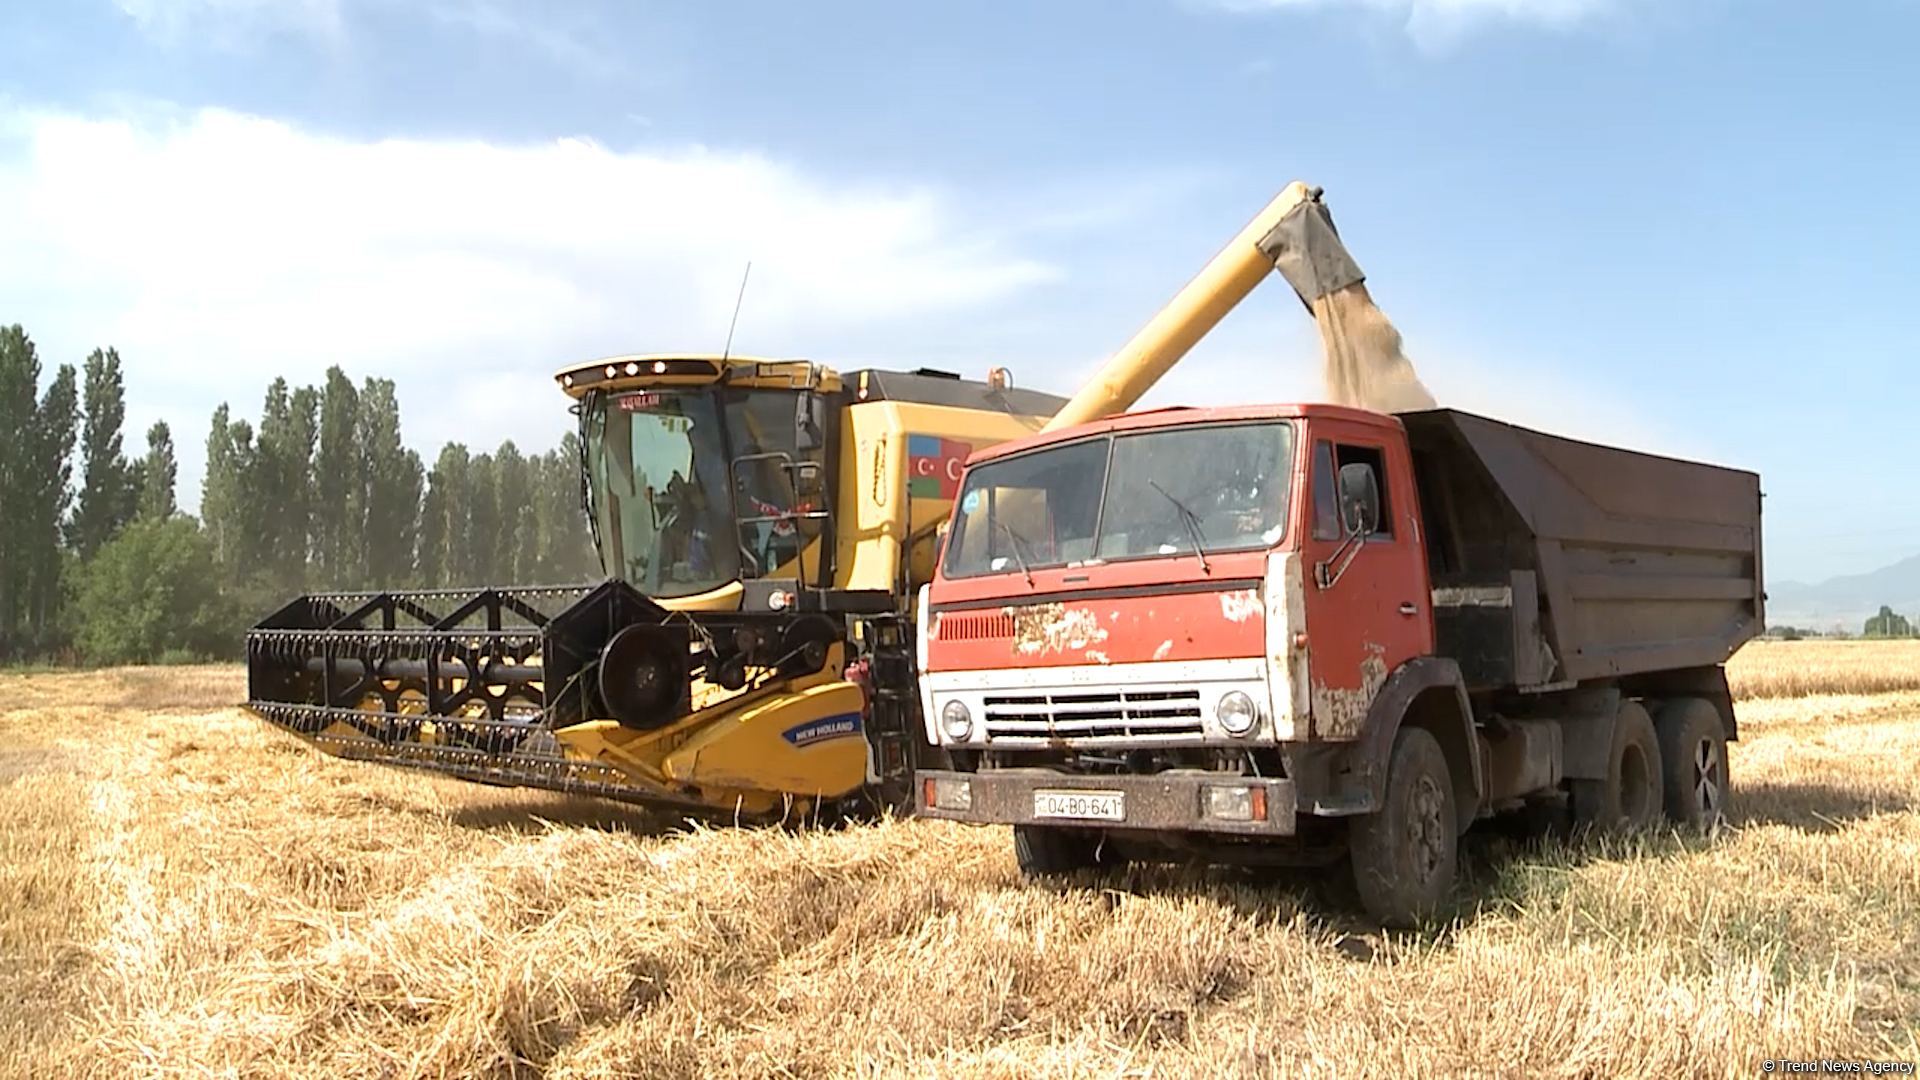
(690, 487)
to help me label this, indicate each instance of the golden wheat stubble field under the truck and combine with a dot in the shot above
(183, 893)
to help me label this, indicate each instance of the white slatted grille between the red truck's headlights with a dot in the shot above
(1095, 716)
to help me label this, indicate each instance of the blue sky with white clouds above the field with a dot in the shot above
(1681, 226)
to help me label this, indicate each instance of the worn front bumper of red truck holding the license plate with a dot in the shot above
(1176, 802)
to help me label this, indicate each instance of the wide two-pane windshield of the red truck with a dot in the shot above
(1155, 493)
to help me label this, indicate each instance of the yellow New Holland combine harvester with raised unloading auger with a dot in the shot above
(765, 529)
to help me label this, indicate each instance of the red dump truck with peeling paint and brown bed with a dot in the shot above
(1324, 635)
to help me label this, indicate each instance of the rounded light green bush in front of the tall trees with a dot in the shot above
(155, 593)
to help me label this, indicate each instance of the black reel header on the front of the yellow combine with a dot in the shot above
(456, 681)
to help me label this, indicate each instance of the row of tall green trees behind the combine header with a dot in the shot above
(99, 564)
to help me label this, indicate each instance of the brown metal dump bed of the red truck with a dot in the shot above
(1558, 560)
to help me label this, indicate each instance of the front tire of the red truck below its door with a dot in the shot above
(1404, 856)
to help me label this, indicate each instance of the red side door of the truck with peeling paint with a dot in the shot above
(1366, 599)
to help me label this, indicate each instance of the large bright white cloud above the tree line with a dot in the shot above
(218, 251)
